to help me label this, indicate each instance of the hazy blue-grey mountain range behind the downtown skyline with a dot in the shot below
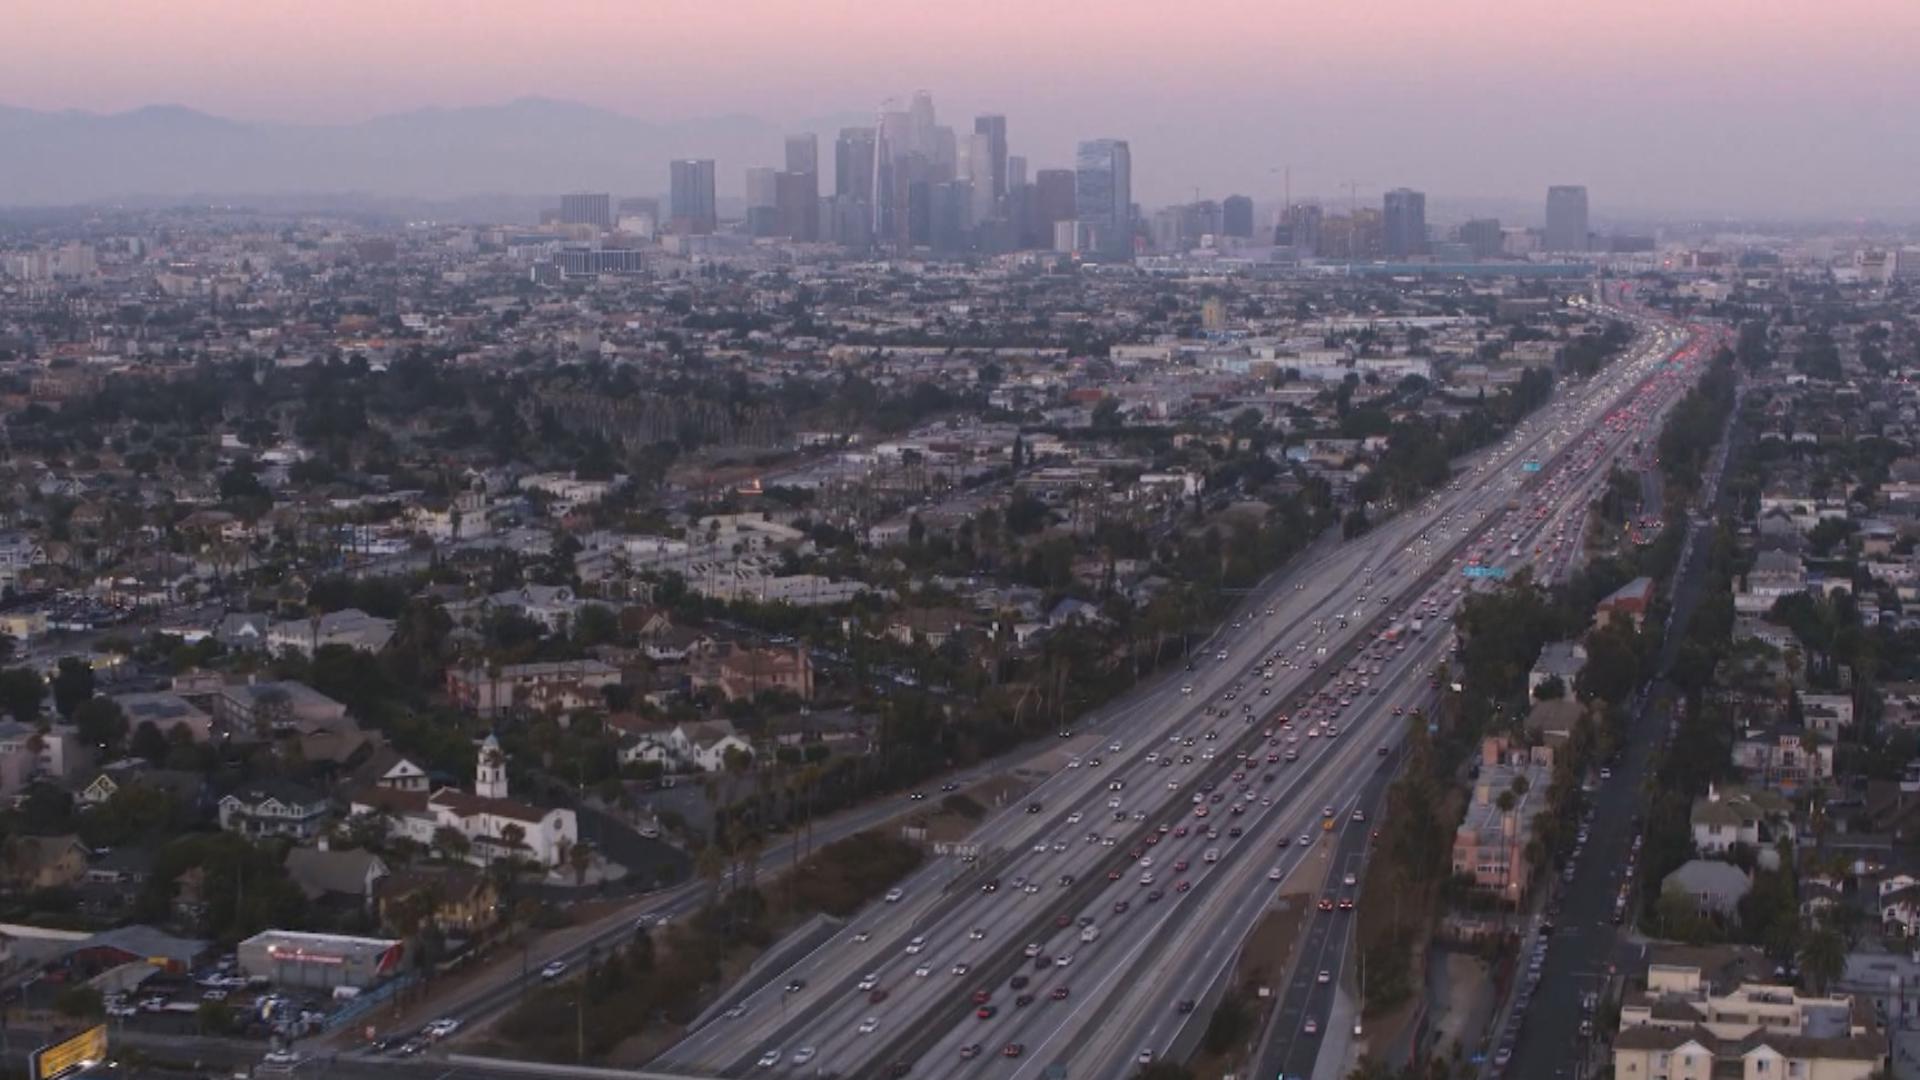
(531, 147)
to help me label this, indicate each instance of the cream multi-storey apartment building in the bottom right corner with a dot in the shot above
(1692, 1027)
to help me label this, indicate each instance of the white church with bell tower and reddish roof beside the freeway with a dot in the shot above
(494, 823)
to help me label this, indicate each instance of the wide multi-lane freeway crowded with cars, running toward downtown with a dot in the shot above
(1126, 879)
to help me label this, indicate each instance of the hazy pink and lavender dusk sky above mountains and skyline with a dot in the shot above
(1712, 107)
